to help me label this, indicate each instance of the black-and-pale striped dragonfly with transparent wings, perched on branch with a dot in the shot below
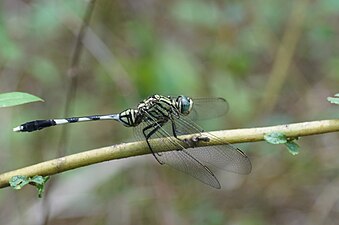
(169, 118)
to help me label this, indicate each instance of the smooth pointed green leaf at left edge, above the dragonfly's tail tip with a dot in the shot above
(17, 98)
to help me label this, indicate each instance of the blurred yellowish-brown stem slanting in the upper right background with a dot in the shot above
(284, 55)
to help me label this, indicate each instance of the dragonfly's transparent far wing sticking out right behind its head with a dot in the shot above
(208, 108)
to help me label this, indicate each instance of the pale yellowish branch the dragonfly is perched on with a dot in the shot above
(125, 150)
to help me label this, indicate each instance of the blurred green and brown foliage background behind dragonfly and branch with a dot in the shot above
(274, 61)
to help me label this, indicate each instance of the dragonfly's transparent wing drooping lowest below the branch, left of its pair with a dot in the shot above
(181, 159)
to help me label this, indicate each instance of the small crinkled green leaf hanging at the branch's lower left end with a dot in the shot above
(18, 182)
